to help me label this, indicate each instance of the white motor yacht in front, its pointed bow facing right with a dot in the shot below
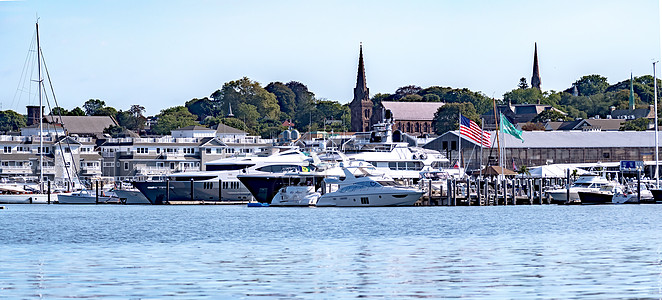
(361, 188)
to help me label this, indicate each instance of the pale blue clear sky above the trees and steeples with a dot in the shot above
(163, 53)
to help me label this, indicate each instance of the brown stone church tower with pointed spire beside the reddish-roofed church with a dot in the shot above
(361, 106)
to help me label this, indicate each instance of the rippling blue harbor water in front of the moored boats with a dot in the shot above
(155, 252)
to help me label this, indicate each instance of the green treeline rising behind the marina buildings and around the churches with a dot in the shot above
(261, 110)
